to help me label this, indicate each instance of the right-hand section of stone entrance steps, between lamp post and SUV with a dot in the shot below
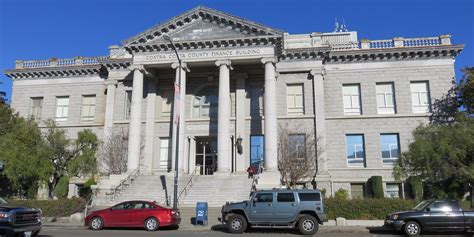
(217, 189)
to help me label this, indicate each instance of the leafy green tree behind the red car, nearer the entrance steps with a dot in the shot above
(66, 157)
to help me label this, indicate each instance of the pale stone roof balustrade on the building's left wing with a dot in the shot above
(54, 62)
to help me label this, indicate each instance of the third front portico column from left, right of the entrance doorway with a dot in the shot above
(223, 119)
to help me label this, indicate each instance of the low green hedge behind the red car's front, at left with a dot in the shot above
(54, 208)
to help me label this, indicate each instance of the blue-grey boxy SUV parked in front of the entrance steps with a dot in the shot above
(276, 209)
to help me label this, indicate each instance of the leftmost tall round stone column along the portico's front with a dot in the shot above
(134, 131)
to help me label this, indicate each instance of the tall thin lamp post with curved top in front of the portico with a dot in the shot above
(176, 118)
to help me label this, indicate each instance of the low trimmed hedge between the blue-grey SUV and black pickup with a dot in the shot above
(365, 209)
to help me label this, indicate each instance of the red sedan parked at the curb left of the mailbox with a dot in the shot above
(133, 214)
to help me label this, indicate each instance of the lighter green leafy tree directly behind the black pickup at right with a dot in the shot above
(442, 155)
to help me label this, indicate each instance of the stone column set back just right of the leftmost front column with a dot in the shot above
(150, 125)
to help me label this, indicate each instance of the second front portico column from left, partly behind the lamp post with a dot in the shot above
(182, 116)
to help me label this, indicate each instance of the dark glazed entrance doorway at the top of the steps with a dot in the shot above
(206, 155)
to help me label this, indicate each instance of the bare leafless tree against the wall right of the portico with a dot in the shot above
(298, 156)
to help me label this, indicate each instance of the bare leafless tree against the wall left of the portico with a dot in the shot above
(113, 152)
